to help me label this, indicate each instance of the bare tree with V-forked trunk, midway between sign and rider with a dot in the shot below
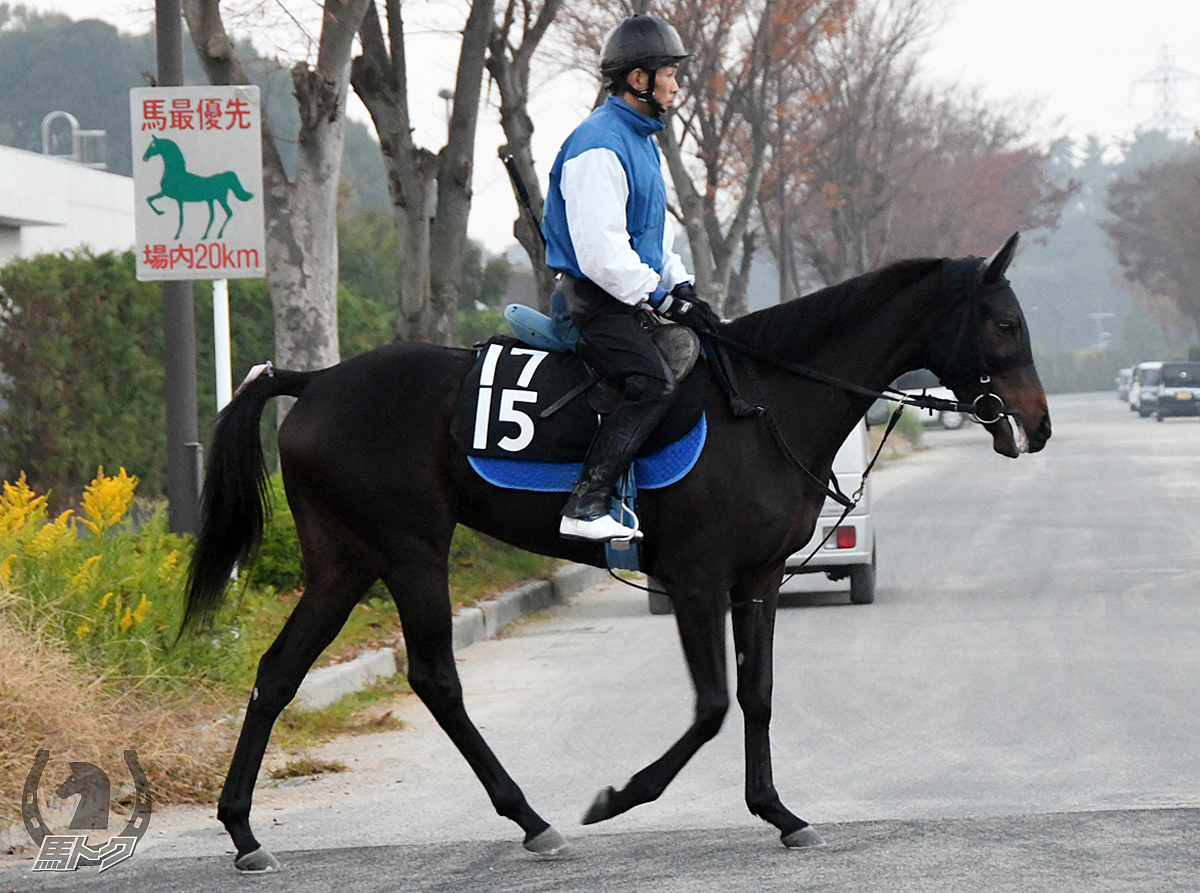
(430, 191)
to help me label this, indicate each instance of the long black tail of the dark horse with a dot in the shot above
(235, 505)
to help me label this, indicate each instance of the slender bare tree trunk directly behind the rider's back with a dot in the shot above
(509, 65)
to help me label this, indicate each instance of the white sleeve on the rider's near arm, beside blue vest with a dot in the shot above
(596, 193)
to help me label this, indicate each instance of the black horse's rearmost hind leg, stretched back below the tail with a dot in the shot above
(315, 624)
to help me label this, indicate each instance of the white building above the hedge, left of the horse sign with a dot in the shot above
(51, 205)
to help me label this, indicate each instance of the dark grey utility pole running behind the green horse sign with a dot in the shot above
(184, 459)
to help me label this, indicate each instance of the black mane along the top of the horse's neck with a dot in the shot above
(793, 328)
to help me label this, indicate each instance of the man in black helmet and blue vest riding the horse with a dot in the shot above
(607, 235)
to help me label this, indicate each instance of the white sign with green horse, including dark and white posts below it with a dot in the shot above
(199, 214)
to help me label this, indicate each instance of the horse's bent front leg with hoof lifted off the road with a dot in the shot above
(701, 624)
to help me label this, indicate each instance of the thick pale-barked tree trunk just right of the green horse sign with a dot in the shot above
(302, 212)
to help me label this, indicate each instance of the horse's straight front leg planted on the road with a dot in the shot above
(754, 604)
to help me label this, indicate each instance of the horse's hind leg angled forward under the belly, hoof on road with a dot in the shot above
(421, 590)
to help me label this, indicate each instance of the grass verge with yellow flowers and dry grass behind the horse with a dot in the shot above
(89, 664)
